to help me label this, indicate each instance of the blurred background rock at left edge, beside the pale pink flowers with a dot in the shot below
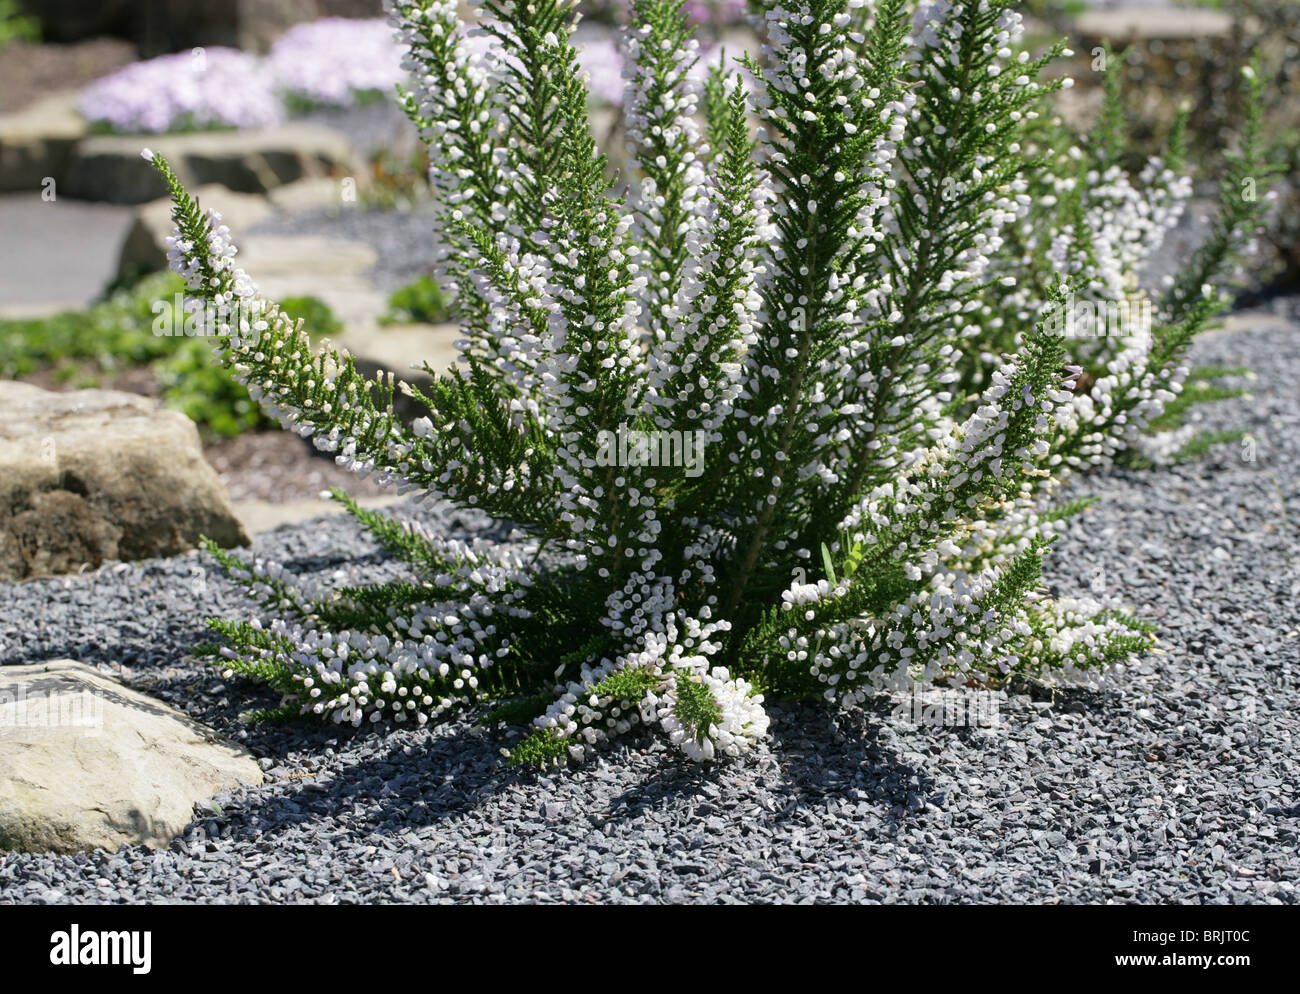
(38, 142)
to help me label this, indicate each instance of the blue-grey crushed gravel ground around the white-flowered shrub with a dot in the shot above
(1177, 783)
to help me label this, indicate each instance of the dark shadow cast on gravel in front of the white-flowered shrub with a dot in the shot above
(409, 785)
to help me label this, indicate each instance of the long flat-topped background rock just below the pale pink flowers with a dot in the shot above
(111, 168)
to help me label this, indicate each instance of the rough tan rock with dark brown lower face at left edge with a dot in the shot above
(96, 475)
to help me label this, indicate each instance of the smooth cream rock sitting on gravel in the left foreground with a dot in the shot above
(86, 762)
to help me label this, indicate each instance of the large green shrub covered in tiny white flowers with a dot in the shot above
(747, 407)
